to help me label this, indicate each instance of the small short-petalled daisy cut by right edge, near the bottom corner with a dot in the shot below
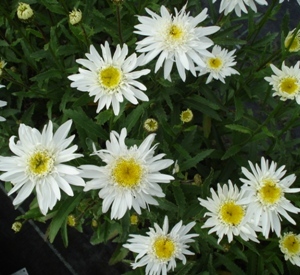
(289, 245)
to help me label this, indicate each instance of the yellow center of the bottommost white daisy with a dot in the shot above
(164, 248)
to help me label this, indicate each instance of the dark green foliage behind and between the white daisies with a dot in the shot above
(233, 122)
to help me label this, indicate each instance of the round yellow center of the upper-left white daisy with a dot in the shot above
(110, 77)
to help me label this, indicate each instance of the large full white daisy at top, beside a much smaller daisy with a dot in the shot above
(175, 38)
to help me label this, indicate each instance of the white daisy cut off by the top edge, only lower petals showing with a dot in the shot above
(239, 6)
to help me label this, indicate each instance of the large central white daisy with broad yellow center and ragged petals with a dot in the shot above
(130, 176)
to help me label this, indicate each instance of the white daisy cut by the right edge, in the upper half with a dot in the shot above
(286, 82)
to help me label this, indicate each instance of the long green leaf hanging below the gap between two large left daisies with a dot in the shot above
(65, 208)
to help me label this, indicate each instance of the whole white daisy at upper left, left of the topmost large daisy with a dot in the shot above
(110, 78)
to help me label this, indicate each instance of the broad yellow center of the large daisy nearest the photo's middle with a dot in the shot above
(127, 173)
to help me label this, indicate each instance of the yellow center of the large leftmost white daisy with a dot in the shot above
(40, 163)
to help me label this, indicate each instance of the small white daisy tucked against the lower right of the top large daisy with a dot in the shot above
(219, 66)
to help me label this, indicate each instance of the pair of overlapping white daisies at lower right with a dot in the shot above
(258, 207)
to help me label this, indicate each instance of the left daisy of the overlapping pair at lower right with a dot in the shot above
(228, 214)
